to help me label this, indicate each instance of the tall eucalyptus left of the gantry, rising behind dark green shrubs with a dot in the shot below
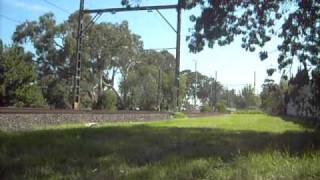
(43, 35)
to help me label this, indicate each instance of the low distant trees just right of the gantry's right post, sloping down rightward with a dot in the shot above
(213, 96)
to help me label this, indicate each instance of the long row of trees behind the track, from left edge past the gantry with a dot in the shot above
(43, 76)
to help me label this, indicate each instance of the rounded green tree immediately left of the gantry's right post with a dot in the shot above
(150, 82)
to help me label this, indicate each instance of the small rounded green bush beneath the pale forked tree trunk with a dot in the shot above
(108, 101)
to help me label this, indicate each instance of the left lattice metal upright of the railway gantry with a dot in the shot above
(76, 86)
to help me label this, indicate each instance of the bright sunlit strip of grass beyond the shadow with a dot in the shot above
(236, 122)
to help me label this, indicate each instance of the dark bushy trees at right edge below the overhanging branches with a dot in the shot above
(298, 95)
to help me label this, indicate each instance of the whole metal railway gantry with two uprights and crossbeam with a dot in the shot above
(82, 11)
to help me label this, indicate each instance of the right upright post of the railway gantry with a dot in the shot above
(178, 57)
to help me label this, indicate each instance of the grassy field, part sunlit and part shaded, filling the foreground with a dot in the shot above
(235, 146)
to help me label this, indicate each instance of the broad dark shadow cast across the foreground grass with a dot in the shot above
(81, 151)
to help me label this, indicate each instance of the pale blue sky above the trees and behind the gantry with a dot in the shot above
(234, 66)
